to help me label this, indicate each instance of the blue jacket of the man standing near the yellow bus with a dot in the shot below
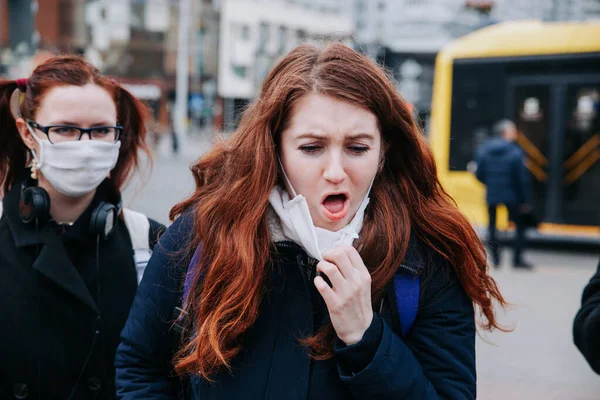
(501, 168)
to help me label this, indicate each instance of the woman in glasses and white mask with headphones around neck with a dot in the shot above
(70, 256)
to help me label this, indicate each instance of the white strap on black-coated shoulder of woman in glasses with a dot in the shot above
(138, 226)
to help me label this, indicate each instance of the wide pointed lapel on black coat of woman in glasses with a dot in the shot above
(54, 263)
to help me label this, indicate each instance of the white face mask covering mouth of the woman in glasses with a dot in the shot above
(75, 168)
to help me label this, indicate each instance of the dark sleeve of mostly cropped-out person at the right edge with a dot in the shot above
(586, 328)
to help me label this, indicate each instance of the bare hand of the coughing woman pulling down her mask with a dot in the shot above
(349, 298)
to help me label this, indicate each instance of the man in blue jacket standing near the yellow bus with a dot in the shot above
(501, 168)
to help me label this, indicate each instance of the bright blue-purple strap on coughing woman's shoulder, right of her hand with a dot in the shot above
(406, 293)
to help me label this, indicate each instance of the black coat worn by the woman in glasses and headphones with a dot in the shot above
(57, 309)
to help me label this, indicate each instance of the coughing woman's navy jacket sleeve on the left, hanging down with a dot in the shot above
(144, 357)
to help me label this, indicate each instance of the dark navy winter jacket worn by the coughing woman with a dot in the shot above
(436, 360)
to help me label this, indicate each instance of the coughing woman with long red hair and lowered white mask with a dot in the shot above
(280, 269)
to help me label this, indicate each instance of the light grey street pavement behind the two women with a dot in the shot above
(537, 360)
